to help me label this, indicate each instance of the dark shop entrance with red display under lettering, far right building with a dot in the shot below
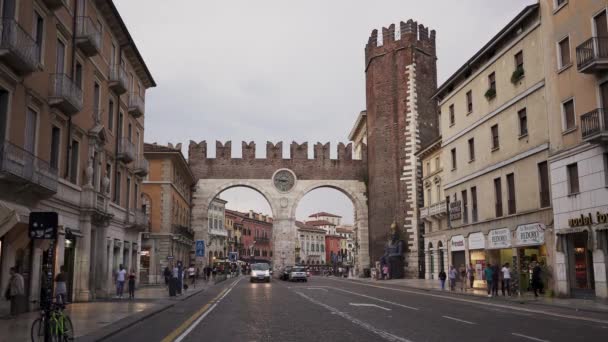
(582, 280)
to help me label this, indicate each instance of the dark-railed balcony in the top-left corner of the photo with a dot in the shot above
(17, 48)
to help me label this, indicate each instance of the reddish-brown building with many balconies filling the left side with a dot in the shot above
(72, 89)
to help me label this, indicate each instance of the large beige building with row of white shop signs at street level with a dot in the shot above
(495, 150)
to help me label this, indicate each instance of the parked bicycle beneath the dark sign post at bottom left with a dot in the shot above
(60, 327)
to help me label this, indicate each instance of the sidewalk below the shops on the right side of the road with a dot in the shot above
(597, 305)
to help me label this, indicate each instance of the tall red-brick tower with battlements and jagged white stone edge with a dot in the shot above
(401, 78)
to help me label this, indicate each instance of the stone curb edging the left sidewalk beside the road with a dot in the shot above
(129, 321)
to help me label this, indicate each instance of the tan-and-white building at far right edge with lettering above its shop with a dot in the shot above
(576, 64)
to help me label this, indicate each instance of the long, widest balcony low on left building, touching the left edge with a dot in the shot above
(21, 167)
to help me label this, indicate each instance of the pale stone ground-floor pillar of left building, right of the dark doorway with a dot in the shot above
(83, 262)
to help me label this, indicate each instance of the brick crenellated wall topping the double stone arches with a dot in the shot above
(321, 166)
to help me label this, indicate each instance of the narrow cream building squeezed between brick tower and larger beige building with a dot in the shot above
(433, 211)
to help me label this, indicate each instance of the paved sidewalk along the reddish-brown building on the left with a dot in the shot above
(94, 320)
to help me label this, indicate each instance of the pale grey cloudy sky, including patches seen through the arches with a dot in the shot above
(282, 70)
